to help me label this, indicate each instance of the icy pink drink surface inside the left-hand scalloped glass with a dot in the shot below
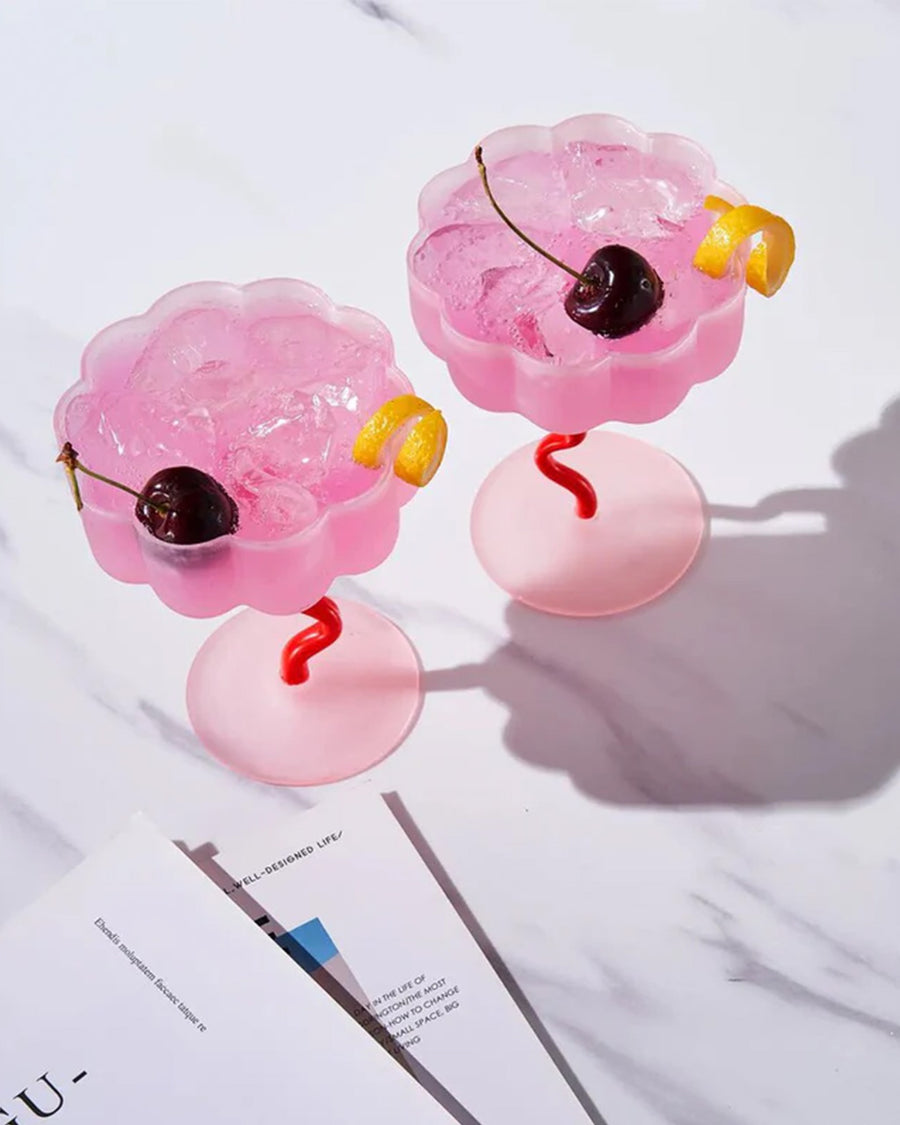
(268, 406)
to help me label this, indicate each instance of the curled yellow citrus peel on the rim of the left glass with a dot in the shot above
(421, 451)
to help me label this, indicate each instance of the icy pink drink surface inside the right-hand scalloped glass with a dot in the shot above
(572, 202)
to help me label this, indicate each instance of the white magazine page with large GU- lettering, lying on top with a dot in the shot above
(136, 994)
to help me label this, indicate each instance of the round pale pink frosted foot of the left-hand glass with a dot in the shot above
(362, 698)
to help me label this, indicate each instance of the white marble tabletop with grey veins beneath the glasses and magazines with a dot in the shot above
(679, 829)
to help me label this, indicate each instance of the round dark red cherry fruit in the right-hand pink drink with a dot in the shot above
(619, 294)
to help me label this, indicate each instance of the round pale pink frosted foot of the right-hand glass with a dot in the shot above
(649, 529)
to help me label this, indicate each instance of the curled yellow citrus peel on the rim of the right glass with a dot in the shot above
(771, 258)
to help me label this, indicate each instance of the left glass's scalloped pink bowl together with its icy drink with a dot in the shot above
(266, 389)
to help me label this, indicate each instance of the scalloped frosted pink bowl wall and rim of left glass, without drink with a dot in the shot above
(277, 577)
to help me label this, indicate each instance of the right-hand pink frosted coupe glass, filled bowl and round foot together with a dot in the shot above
(493, 310)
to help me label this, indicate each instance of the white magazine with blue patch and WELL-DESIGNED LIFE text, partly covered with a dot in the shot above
(344, 890)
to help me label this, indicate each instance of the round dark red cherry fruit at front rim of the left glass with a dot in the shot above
(186, 506)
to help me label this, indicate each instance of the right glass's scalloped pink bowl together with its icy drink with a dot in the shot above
(493, 308)
